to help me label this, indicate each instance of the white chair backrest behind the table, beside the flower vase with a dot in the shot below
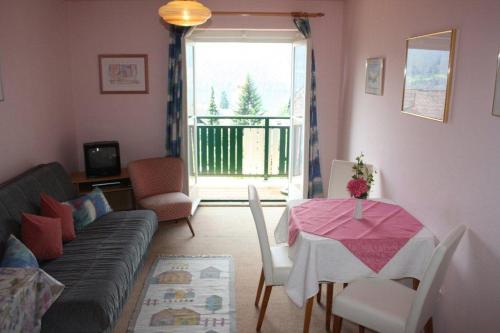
(340, 174)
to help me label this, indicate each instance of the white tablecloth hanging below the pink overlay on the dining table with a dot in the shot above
(317, 258)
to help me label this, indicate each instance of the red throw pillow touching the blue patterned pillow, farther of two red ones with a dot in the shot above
(53, 208)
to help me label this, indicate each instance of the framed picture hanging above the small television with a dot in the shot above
(123, 73)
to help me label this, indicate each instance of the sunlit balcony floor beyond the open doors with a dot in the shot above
(235, 188)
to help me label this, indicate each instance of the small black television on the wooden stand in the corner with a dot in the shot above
(102, 159)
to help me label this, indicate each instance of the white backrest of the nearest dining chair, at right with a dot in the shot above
(427, 292)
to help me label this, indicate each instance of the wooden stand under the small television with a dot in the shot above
(117, 189)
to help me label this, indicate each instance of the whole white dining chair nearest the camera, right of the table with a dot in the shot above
(390, 307)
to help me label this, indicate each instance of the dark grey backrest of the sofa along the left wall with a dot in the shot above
(22, 195)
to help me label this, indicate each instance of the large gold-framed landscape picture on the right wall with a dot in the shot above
(428, 75)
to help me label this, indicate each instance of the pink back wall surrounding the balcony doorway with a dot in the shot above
(138, 121)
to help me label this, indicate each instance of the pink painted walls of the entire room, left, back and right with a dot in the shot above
(444, 174)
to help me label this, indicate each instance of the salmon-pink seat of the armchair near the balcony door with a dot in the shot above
(168, 206)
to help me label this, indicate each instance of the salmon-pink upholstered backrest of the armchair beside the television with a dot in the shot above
(154, 176)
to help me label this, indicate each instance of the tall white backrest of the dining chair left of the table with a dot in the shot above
(260, 225)
